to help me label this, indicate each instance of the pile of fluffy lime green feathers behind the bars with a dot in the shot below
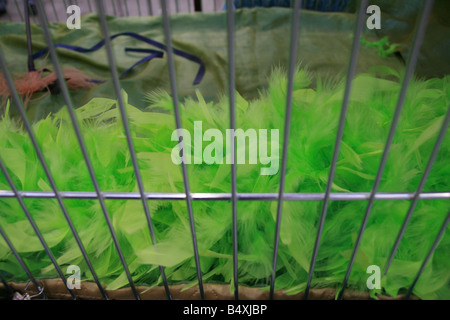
(316, 109)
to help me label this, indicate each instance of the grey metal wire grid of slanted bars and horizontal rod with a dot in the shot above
(119, 8)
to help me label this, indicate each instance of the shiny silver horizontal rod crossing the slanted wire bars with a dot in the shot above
(336, 196)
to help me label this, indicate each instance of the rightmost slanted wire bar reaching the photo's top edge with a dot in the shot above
(412, 60)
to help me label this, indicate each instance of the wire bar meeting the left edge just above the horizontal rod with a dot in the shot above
(34, 226)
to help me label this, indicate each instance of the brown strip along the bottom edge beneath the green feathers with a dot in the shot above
(55, 289)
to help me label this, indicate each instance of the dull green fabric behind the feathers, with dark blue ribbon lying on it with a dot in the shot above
(262, 42)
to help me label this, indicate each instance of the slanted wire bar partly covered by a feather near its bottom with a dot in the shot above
(129, 138)
